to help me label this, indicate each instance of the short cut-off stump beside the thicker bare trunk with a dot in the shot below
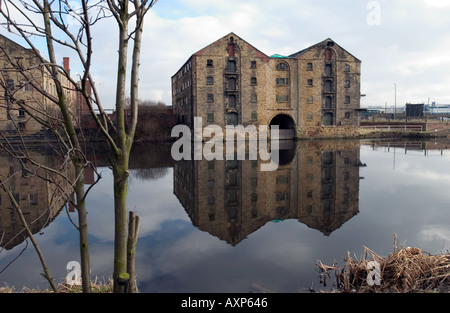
(133, 231)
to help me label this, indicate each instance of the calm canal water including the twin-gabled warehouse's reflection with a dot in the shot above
(226, 226)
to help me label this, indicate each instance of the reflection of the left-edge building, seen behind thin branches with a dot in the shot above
(40, 198)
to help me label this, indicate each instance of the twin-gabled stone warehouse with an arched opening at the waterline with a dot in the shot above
(230, 82)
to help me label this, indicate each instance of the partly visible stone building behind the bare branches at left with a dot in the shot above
(24, 78)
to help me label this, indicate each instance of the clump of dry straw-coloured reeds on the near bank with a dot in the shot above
(406, 270)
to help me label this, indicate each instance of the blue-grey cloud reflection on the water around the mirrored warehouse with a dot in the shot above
(403, 194)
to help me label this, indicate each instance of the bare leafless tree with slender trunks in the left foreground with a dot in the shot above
(53, 28)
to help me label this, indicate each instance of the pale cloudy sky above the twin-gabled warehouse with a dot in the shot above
(402, 42)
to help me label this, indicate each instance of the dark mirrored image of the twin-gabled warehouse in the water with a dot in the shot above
(317, 183)
